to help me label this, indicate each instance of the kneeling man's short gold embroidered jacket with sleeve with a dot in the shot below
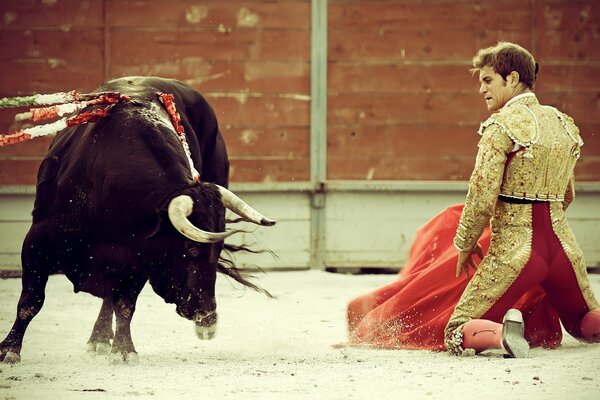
(545, 145)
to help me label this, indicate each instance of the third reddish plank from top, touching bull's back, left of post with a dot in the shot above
(206, 75)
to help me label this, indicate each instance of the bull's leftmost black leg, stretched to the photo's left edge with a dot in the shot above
(32, 297)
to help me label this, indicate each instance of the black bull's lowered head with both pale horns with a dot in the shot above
(197, 261)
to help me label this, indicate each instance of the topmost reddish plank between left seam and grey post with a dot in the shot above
(211, 14)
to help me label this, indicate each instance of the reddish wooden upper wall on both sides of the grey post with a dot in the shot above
(402, 104)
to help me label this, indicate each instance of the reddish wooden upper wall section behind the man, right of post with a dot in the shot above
(402, 103)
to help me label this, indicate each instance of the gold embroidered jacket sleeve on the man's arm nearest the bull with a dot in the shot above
(484, 186)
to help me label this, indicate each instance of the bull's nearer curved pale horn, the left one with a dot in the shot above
(179, 209)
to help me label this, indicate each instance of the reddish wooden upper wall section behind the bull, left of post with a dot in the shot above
(251, 59)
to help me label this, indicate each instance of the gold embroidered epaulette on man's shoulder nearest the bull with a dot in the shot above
(517, 122)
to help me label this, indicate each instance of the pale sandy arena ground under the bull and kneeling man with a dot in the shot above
(268, 349)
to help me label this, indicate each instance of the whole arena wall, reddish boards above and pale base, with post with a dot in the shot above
(351, 122)
